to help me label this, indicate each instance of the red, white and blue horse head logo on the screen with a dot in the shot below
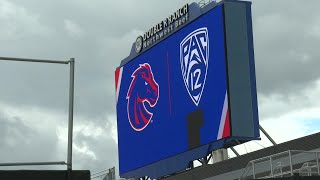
(142, 90)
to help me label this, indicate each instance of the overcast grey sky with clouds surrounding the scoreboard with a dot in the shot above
(99, 34)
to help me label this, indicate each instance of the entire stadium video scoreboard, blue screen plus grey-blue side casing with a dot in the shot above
(192, 92)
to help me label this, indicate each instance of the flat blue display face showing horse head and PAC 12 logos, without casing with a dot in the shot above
(162, 91)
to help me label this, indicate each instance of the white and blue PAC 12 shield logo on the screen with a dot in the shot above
(194, 55)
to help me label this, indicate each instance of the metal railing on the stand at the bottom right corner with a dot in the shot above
(284, 164)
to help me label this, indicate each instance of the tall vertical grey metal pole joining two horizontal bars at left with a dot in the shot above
(70, 125)
